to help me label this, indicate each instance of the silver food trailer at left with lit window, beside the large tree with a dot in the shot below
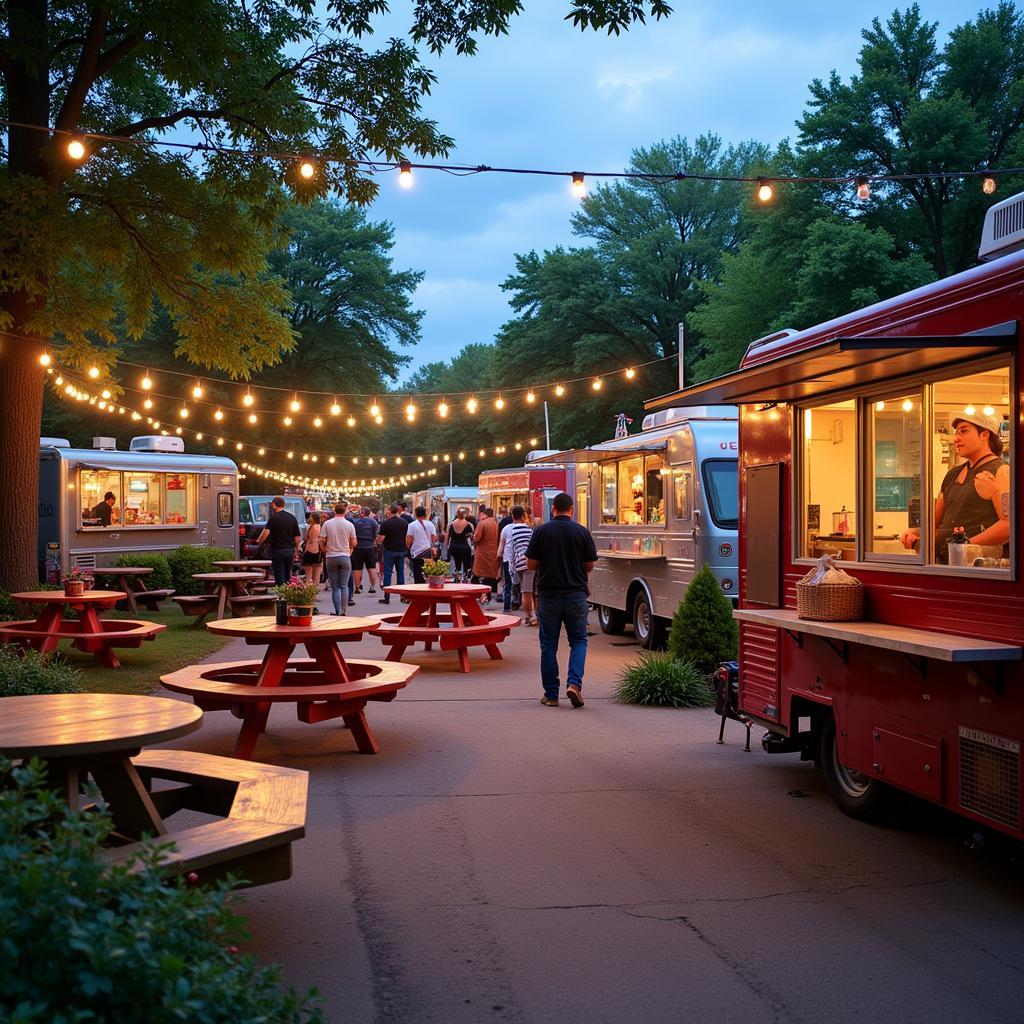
(162, 499)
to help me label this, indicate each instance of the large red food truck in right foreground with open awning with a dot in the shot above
(883, 439)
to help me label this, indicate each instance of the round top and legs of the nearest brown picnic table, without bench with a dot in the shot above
(80, 735)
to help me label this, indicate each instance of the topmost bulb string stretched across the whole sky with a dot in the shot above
(79, 146)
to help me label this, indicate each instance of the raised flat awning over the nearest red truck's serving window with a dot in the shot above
(840, 364)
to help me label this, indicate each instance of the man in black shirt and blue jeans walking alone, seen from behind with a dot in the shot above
(564, 553)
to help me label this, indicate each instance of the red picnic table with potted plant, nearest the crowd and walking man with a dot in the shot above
(465, 625)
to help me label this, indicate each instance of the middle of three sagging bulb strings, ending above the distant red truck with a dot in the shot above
(67, 387)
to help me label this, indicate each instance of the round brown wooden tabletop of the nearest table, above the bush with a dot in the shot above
(78, 724)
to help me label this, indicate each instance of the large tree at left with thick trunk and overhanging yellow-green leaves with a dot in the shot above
(90, 247)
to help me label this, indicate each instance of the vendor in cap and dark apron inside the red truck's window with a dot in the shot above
(974, 495)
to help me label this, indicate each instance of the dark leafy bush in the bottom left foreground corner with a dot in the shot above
(87, 943)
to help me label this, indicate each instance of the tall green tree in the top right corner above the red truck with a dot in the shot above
(918, 108)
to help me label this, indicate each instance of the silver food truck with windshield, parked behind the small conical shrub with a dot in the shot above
(661, 504)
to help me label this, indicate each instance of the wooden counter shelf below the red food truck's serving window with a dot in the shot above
(921, 644)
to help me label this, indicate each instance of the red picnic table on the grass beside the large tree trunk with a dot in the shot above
(89, 632)
